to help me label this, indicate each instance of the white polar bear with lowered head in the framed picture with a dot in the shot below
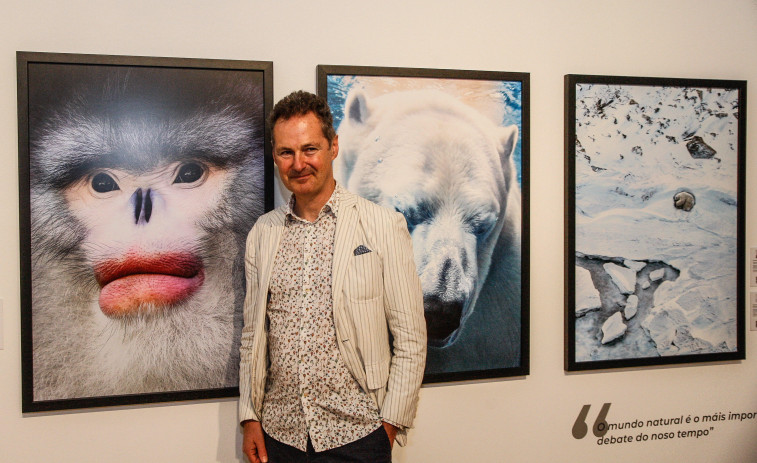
(450, 171)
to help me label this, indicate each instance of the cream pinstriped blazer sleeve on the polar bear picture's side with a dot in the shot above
(403, 307)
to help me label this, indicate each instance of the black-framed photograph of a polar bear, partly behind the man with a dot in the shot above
(449, 149)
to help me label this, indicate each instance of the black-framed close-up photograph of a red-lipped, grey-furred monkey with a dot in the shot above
(139, 179)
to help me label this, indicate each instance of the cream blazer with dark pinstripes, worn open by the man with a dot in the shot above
(377, 299)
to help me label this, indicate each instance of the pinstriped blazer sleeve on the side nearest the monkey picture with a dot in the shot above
(246, 349)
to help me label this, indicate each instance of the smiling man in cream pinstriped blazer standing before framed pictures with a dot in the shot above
(334, 339)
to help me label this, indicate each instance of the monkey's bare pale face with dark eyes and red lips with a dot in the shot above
(127, 215)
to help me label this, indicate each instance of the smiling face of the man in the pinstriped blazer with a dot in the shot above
(303, 156)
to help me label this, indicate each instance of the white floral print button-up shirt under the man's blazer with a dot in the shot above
(309, 390)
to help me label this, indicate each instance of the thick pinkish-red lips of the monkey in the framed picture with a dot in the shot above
(139, 282)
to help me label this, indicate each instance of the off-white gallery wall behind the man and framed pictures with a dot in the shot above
(517, 420)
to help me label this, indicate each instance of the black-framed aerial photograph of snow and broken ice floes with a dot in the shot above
(654, 227)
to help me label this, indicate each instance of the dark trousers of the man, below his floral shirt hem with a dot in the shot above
(373, 448)
